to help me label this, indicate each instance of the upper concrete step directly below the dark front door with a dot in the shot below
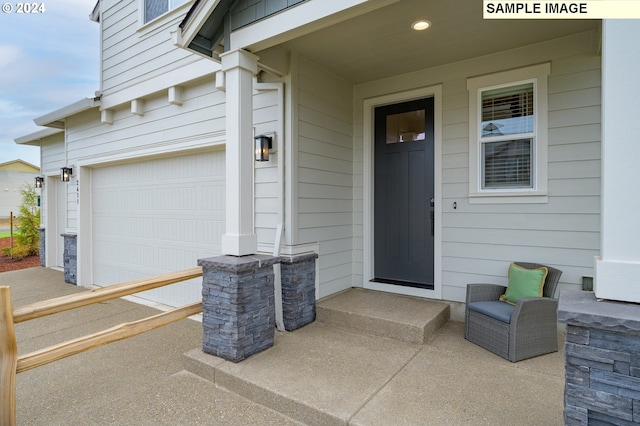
(393, 316)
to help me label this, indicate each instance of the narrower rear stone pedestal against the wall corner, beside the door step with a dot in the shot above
(298, 275)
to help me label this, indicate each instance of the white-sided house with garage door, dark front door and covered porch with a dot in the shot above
(409, 161)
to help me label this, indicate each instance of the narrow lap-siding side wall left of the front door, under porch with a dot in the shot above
(325, 177)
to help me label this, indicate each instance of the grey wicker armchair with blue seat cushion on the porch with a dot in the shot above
(517, 331)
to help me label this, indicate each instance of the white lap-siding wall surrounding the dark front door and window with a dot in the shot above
(480, 240)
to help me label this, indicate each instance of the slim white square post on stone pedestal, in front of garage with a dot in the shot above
(239, 67)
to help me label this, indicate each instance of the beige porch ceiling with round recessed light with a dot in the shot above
(381, 43)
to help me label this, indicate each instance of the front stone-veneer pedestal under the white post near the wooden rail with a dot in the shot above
(238, 305)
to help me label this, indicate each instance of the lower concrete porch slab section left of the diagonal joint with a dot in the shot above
(316, 375)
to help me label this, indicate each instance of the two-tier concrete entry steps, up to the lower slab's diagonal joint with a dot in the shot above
(326, 372)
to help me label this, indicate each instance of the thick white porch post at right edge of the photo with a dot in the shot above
(618, 267)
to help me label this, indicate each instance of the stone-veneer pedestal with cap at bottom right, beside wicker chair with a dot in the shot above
(602, 360)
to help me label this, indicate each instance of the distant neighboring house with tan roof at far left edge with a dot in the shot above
(14, 176)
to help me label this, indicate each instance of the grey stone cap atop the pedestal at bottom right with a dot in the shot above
(582, 309)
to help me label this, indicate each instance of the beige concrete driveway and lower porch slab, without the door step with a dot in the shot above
(355, 379)
